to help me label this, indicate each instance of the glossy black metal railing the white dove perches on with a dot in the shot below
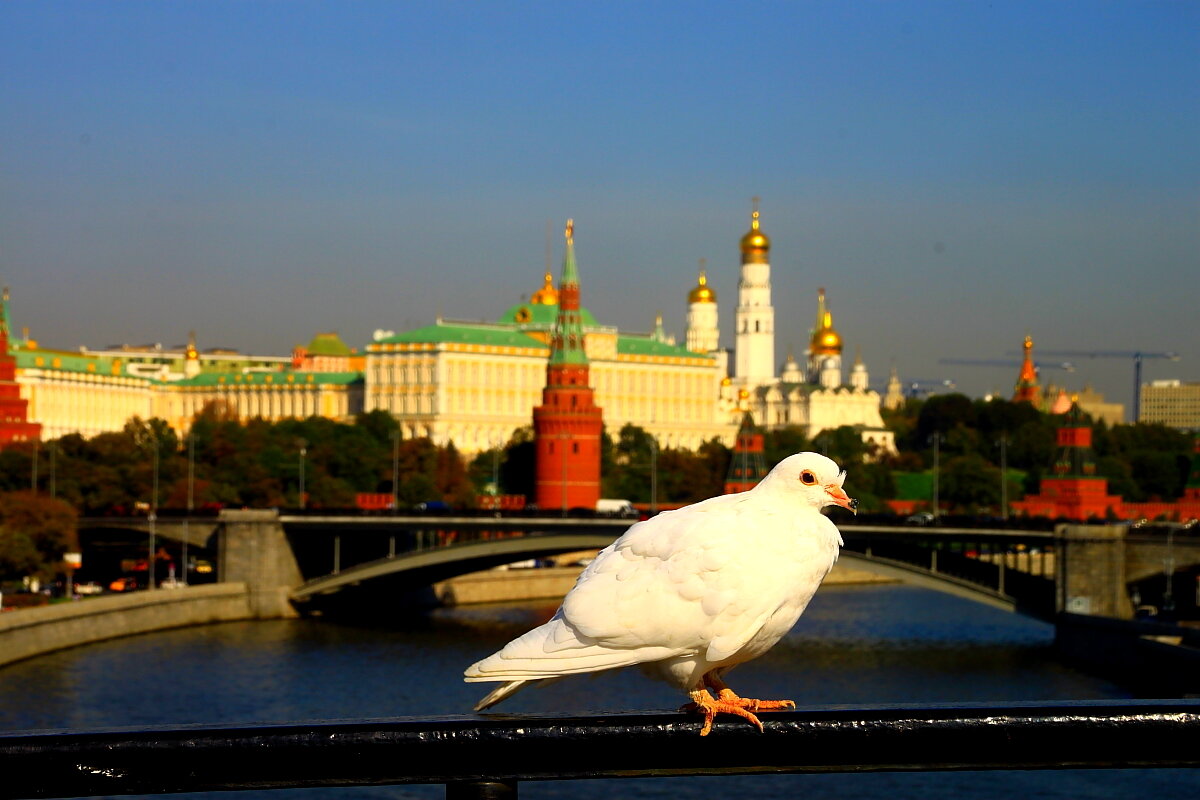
(489, 756)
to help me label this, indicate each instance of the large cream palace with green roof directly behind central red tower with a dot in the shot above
(476, 383)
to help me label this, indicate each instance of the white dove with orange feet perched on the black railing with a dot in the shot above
(693, 593)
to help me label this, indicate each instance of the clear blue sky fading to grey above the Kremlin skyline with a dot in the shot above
(956, 175)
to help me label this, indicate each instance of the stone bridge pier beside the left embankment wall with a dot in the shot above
(254, 550)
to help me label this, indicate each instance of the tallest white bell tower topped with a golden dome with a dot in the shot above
(755, 338)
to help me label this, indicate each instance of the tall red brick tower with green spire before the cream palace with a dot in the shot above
(568, 424)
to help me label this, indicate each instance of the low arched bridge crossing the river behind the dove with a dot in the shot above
(315, 562)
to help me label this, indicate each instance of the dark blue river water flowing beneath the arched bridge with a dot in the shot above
(881, 645)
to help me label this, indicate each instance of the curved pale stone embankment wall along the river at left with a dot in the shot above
(33, 631)
